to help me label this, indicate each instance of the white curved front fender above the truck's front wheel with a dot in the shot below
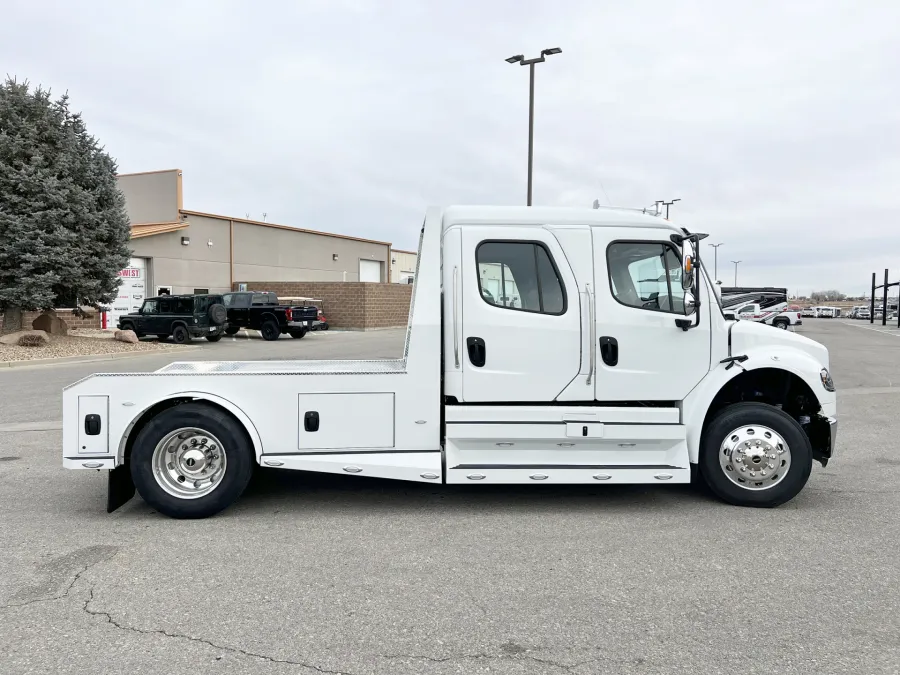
(793, 361)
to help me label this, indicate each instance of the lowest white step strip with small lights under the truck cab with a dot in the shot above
(567, 474)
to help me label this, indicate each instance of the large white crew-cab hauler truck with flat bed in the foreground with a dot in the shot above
(614, 364)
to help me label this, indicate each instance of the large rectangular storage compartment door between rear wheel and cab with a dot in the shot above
(346, 421)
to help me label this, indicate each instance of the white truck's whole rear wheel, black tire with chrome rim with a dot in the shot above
(191, 461)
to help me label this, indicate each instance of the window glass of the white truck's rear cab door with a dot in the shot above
(519, 275)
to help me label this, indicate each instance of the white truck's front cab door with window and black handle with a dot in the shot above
(642, 354)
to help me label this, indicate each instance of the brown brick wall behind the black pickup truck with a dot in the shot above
(352, 304)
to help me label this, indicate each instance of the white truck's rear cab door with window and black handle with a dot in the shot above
(521, 316)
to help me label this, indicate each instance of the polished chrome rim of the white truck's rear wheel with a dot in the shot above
(189, 463)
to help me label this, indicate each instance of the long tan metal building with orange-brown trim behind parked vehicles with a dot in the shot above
(185, 251)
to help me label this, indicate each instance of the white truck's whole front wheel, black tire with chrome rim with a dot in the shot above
(753, 454)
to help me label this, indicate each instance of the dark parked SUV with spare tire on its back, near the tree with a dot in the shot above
(180, 316)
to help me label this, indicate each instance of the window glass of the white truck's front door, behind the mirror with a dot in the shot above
(646, 275)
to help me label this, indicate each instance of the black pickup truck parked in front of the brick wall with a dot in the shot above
(260, 310)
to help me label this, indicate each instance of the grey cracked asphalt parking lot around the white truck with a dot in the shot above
(312, 574)
